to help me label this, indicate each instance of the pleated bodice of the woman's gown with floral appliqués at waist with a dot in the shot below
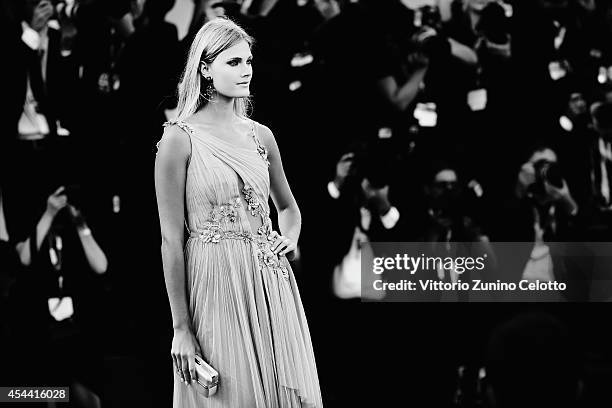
(226, 193)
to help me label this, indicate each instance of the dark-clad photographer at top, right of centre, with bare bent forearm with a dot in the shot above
(420, 63)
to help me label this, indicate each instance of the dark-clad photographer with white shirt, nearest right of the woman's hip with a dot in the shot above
(357, 206)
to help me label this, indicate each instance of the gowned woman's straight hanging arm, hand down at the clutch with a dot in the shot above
(170, 174)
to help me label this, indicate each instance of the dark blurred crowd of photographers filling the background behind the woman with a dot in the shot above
(398, 120)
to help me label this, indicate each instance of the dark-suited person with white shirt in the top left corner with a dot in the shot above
(41, 80)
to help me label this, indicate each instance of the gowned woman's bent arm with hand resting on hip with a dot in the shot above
(289, 217)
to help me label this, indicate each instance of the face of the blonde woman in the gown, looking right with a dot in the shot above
(231, 71)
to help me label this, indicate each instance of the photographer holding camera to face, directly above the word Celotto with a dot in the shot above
(542, 215)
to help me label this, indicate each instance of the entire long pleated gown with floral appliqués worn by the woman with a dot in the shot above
(244, 302)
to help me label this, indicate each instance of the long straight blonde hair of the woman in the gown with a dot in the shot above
(212, 39)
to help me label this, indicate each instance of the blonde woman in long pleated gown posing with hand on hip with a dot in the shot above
(233, 295)
